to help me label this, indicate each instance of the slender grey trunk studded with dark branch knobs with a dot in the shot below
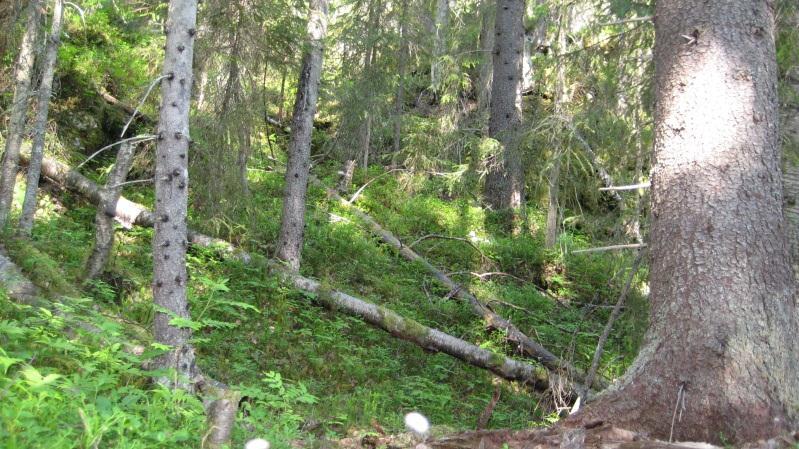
(171, 196)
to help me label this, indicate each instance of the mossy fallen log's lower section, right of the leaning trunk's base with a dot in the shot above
(421, 335)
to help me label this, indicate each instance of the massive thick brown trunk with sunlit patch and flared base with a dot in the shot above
(719, 360)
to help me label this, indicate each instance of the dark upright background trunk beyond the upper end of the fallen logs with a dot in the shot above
(504, 186)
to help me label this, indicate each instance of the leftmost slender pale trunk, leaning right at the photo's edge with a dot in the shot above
(16, 125)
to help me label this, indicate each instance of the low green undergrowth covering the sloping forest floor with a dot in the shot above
(306, 371)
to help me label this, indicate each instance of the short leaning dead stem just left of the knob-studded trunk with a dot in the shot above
(104, 218)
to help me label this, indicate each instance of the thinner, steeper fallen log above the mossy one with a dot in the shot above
(524, 343)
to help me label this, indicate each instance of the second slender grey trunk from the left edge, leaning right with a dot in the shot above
(40, 125)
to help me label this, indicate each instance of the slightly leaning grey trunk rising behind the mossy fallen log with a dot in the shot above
(292, 225)
